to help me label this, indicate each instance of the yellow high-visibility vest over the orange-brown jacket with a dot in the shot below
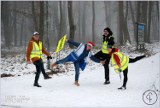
(36, 50)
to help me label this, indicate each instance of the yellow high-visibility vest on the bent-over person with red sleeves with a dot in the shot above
(124, 60)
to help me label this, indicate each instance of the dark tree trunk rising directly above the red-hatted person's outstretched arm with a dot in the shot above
(71, 22)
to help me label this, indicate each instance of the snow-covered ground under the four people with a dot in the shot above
(59, 91)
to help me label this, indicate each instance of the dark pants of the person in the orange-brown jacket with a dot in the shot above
(39, 68)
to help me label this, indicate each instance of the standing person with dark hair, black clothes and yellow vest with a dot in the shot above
(108, 41)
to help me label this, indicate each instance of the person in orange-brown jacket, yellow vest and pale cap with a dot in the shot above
(34, 52)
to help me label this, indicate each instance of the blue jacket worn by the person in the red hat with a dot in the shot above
(81, 58)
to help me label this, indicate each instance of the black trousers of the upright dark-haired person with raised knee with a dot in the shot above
(102, 56)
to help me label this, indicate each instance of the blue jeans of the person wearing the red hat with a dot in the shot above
(76, 66)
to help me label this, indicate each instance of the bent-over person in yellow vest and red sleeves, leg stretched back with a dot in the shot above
(120, 63)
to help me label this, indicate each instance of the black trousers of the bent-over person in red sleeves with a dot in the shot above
(125, 72)
